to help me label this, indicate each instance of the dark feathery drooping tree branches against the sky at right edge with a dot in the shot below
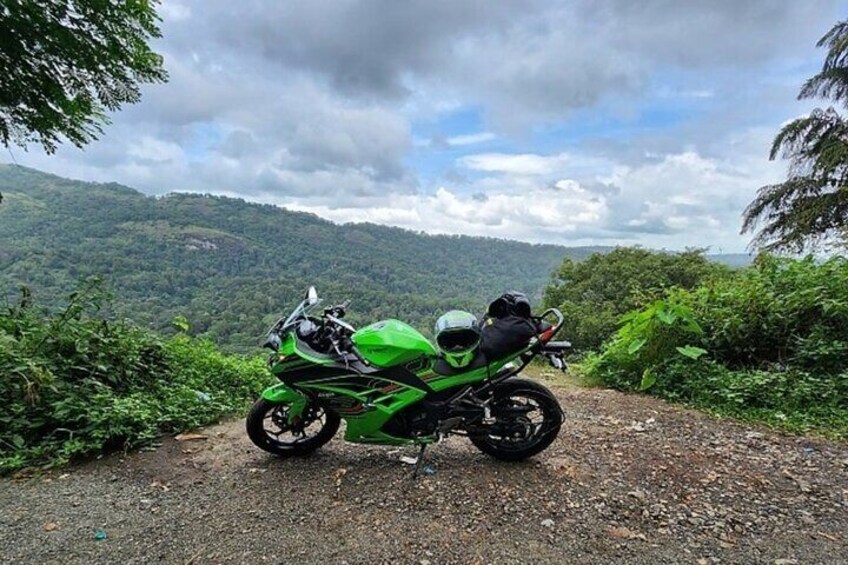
(810, 208)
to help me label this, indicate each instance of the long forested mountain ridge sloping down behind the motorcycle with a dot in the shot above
(230, 266)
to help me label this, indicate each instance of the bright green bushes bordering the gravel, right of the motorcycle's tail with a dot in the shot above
(769, 344)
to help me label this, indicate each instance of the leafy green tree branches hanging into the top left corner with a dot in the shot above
(65, 63)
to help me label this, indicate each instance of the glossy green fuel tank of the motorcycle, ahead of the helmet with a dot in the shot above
(391, 342)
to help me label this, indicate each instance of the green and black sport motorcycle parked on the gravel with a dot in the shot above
(393, 387)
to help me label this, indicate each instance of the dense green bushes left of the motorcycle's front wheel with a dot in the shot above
(77, 384)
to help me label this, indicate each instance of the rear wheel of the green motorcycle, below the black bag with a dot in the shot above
(527, 419)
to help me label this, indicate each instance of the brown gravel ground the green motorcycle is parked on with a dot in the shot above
(629, 480)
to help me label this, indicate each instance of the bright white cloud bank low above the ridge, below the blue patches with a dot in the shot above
(678, 201)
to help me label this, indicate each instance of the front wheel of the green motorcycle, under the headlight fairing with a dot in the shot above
(269, 428)
